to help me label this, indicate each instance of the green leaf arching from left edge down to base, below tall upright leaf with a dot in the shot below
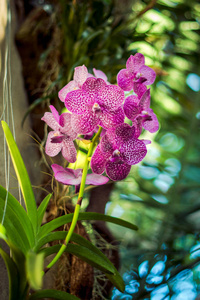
(19, 213)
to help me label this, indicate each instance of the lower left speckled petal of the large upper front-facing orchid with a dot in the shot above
(83, 124)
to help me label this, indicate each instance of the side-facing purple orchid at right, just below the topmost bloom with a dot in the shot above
(138, 110)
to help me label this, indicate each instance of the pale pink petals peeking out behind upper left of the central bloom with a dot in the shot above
(80, 76)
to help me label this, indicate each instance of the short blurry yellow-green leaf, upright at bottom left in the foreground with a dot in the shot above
(34, 269)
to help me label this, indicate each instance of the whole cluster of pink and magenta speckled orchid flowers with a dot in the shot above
(93, 103)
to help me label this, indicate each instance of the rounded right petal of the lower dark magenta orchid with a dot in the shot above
(133, 151)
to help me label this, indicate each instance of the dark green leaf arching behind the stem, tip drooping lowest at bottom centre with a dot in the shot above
(116, 279)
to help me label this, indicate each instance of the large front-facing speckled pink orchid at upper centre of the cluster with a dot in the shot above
(95, 104)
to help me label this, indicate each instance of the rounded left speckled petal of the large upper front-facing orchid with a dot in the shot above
(77, 101)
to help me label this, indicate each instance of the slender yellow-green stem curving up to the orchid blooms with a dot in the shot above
(79, 201)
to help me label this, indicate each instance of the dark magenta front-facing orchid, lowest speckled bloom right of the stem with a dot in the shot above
(118, 150)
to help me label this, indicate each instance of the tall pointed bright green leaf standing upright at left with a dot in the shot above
(22, 176)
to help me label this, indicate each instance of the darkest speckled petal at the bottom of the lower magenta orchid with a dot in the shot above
(117, 170)
